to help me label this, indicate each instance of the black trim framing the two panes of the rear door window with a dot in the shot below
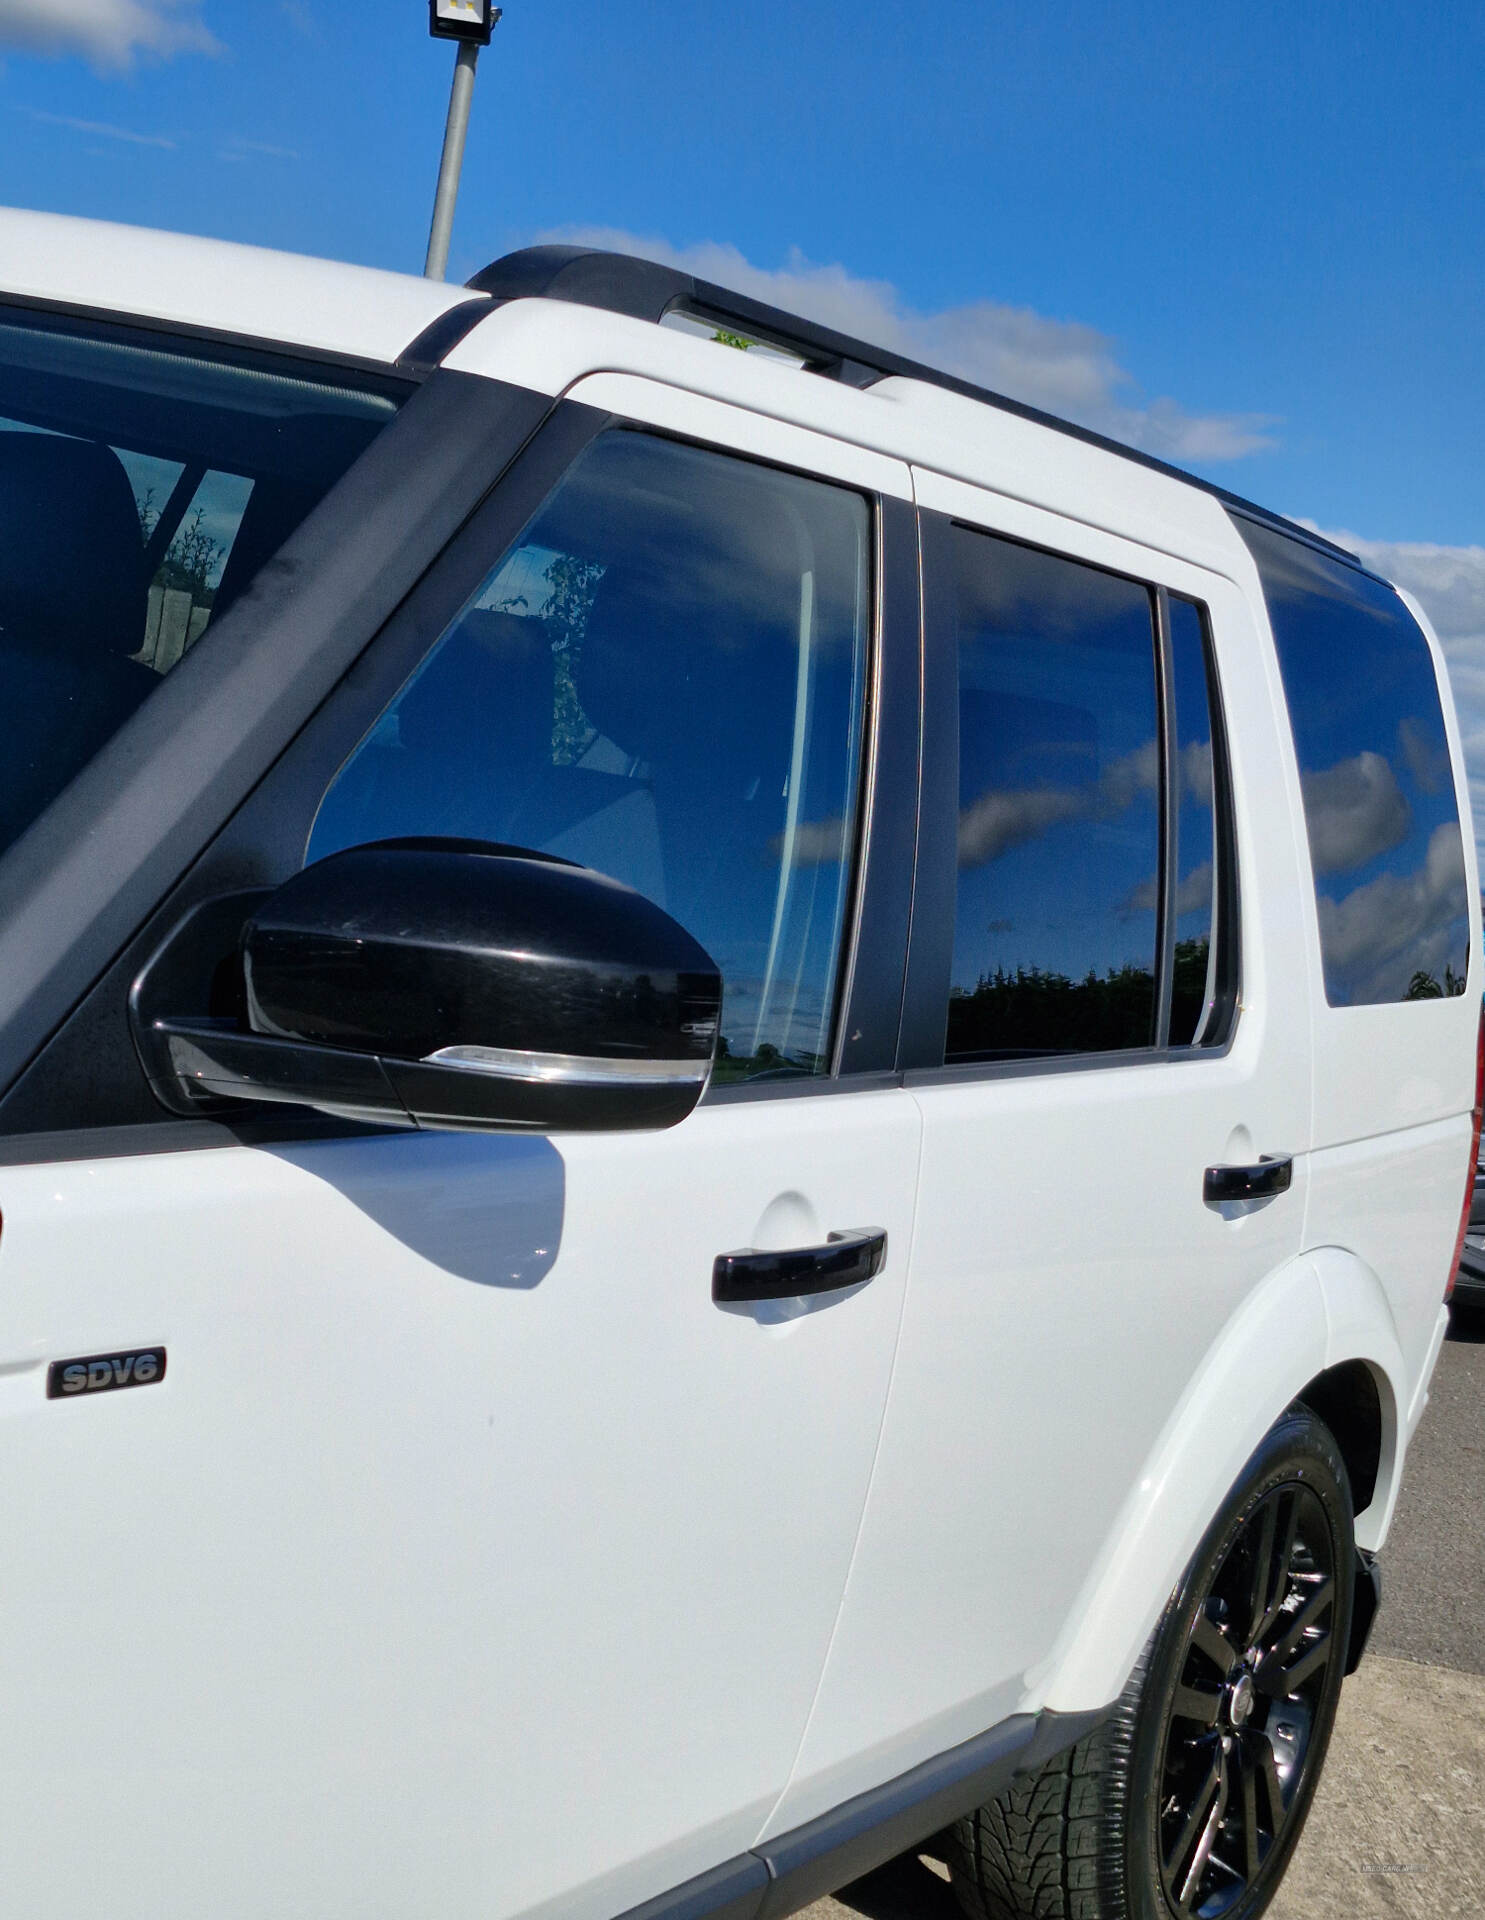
(931, 953)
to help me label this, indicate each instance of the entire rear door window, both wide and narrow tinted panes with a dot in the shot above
(1096, 875)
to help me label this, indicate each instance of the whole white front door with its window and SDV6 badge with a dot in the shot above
(470, 1556)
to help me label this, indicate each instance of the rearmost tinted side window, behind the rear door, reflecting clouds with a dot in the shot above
(1378, 788)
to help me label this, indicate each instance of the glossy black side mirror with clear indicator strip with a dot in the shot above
(447, 984)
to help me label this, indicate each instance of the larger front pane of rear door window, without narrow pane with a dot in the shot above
(1059, 807)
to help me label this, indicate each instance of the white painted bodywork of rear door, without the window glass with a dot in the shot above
(1067, 1280)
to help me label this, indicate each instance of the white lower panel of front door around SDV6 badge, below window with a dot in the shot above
(468, 1556)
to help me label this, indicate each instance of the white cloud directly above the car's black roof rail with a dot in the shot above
(1059, 366)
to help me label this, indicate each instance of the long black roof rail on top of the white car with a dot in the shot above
(643, 289)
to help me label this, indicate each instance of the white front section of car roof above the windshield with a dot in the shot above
(220, 285)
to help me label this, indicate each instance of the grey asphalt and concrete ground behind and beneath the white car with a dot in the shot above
(1398, 1829)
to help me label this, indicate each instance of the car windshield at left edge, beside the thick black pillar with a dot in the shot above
(141, 489)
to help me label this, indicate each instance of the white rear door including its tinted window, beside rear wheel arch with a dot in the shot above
(1092, 1024)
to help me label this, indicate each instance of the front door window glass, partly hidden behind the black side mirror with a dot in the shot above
(662, 681)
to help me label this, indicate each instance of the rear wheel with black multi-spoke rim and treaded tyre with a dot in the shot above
(1188, 1802)
